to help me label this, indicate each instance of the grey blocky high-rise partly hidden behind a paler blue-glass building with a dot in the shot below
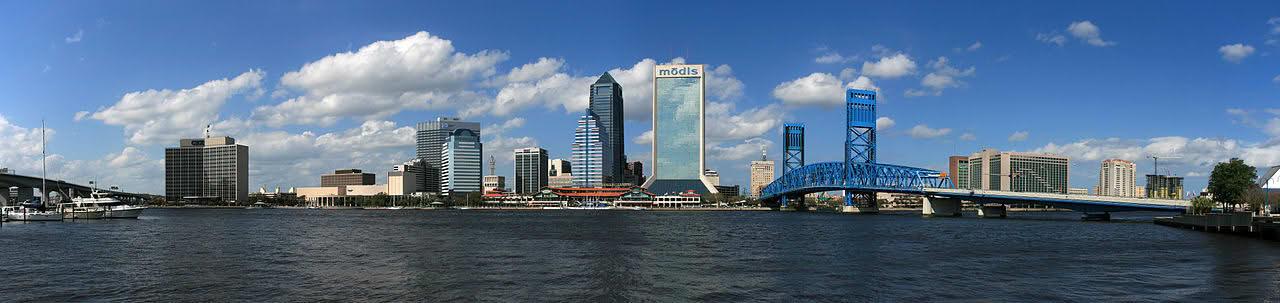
(431, 140)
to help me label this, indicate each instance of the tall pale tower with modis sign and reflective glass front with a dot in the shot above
(679, 141)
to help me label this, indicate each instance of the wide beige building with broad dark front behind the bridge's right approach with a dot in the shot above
(1020, 172)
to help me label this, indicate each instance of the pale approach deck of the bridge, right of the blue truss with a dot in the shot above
(1068, 201)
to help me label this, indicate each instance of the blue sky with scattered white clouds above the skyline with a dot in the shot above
(117, 82)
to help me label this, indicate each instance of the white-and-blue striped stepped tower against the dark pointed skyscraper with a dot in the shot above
(589, 153)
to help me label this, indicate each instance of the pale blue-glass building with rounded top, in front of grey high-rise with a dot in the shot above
(460, 163)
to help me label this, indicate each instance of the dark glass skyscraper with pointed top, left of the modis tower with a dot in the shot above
(607, 104)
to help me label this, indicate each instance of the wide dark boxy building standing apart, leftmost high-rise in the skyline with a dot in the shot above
(207, 171)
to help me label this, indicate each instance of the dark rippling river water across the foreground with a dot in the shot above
(611, 256)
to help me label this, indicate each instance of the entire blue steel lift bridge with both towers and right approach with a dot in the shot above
(861, 177)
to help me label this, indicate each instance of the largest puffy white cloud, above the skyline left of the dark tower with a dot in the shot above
(383, 79)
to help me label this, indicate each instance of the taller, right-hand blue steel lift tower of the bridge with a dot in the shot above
(860, 143)
